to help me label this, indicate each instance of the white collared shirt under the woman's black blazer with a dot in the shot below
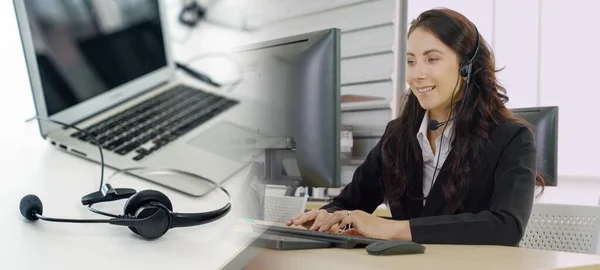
(429, 159)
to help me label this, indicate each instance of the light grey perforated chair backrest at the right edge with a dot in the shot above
(560, 227)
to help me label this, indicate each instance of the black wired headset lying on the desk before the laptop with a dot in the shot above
(148, 213)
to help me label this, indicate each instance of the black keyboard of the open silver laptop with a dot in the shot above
(155, 122)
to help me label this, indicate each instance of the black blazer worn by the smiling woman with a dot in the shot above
(497, 205)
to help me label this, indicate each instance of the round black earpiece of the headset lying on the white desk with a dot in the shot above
(146, 203)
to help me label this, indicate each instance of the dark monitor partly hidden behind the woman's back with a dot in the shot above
(544, 122)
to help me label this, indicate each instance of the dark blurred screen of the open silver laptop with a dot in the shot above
(87, 47)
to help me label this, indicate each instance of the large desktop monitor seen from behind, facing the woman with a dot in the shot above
(298, 77)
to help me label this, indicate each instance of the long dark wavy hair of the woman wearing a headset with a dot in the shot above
(484, 109)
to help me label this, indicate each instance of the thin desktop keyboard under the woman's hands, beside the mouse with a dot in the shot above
(336, 239)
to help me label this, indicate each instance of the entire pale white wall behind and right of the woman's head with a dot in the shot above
(549, 51)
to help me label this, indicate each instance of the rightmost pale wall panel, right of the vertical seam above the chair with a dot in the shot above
(568, 70)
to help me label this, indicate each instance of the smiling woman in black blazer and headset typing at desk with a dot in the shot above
(454, 120)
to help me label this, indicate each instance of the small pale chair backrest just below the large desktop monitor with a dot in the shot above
(281, 208)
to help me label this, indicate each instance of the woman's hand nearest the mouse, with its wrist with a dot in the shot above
(368, 225)
